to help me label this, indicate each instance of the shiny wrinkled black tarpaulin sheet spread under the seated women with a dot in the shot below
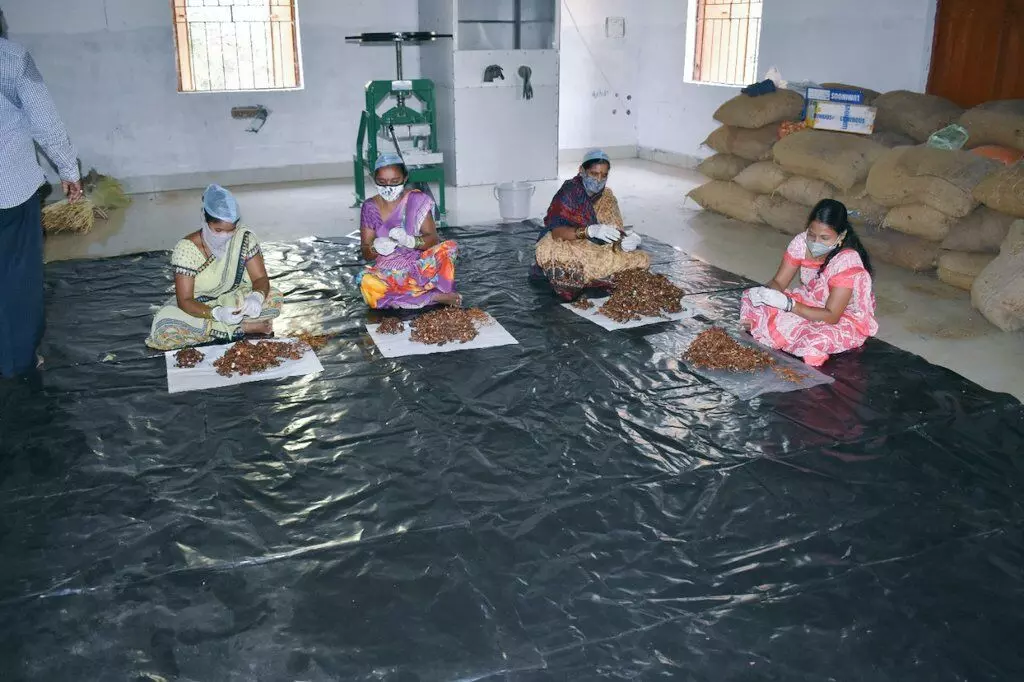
(566, 509)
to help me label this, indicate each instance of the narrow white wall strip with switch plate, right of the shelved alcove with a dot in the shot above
(598, 89)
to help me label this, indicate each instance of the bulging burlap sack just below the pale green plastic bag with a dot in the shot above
(942, 180)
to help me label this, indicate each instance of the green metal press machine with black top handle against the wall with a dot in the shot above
(409, 127)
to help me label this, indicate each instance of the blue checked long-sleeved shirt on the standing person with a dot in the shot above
(27, 114)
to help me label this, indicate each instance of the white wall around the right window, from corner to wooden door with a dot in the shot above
(881, 45)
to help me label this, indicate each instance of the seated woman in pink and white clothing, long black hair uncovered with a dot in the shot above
(833, 311)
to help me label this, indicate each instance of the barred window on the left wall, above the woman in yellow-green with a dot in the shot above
(234, 46)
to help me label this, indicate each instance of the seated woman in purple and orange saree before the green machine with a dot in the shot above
(411, 267)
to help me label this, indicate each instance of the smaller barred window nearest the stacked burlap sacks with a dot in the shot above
(727, 40)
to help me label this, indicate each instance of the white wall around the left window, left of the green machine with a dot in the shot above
(110, 65)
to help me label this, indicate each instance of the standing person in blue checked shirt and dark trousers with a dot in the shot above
(27, 116)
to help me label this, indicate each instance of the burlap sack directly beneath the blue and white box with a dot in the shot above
(839, 159)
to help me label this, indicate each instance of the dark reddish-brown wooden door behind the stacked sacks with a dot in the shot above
(978, 55)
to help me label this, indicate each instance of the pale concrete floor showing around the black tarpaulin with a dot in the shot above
(917, 313)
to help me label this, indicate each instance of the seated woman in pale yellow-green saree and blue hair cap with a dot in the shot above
(222, 288)
